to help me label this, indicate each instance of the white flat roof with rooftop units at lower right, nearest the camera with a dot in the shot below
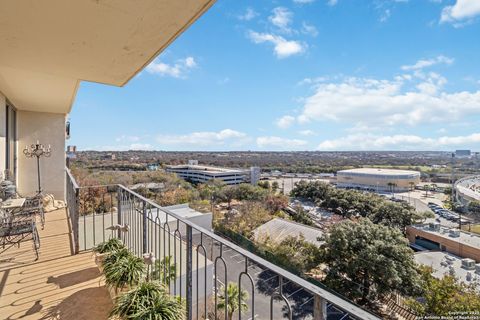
(441, 262)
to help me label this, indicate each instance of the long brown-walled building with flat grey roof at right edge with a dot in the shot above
(432, 236)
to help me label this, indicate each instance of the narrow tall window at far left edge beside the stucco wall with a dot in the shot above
(11, 143)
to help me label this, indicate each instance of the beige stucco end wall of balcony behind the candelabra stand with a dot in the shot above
(48, 128)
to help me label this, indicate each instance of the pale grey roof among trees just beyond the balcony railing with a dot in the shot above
(278, 229)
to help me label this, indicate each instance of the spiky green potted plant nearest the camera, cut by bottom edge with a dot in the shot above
(148, 300)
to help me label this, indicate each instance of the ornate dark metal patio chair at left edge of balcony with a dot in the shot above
(13, 232)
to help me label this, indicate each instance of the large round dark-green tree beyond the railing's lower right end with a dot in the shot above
(367, 262)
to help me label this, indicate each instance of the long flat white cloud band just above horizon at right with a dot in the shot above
(399, 142)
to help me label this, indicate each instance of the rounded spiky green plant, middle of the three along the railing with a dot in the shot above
(123, 269)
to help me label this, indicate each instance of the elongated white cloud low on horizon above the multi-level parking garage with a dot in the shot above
(204, 138)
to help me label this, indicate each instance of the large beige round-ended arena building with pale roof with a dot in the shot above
(378, 179)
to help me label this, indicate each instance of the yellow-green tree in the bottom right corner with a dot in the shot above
(442, 297)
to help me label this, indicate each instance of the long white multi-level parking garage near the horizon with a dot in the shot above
(201, 174)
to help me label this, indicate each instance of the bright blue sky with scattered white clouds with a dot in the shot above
(277, 75)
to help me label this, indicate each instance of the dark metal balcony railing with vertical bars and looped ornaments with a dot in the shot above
(204, 263)
